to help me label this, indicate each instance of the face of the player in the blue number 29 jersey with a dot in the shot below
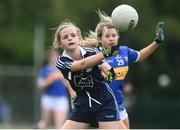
(109, 38)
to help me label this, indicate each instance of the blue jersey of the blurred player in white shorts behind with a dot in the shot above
(56, 88)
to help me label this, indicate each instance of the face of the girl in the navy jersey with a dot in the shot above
(69, 38)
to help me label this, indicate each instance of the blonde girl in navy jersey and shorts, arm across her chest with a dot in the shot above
(82, 67)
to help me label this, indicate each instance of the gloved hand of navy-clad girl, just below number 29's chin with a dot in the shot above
(107, 52)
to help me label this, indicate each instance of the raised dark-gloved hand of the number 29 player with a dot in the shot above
(159, 32)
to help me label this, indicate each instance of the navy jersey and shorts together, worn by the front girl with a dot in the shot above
(95, 100)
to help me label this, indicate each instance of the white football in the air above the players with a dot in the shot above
(124, 17)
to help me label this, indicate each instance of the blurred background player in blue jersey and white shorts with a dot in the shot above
(54, 100)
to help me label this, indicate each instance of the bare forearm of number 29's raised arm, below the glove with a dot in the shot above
(147, 51)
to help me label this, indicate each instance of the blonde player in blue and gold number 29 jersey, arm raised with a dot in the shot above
(106, 35)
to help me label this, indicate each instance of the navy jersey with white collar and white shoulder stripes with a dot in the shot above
(89, 79)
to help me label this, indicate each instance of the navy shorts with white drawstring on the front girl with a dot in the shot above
(98, 106)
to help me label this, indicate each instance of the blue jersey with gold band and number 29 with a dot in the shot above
(120, 64)
